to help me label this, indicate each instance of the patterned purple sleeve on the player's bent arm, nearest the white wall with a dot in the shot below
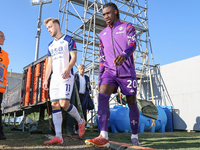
(131, 41)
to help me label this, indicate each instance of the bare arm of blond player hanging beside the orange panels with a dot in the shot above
(47, 73)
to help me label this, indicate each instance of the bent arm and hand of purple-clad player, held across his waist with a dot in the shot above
(131, 41)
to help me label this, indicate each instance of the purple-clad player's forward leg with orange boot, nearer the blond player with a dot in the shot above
(107, 87)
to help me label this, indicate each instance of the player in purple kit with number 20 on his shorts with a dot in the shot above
(117, 43)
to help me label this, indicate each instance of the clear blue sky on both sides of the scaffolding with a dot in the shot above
(173, 25)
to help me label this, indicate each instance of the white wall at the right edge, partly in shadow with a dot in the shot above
(178, 85)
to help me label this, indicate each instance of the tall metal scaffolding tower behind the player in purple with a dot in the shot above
(86, 15)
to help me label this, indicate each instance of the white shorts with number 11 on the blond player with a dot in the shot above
(61, 89)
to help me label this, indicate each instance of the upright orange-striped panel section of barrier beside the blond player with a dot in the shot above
(32, 92)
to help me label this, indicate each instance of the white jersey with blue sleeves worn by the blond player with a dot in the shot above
(60, 50)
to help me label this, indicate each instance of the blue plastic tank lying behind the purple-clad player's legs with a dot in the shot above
(119, 121)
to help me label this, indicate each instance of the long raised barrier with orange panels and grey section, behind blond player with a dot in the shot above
(28, 96)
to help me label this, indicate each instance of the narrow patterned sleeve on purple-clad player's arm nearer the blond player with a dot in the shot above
(102, 59)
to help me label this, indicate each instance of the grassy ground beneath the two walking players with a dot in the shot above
(179, 140)
